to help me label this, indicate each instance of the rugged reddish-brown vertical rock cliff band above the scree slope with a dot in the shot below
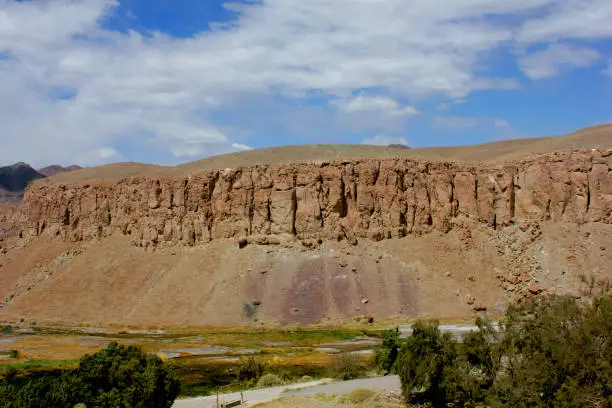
(373, 199)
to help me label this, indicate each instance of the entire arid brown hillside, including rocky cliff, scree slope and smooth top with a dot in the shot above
(314, 234)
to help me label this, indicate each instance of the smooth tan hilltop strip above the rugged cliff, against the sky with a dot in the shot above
(598, 136)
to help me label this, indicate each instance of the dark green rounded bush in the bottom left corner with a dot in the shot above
(117, 376)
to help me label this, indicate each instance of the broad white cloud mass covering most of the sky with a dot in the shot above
(167, 90)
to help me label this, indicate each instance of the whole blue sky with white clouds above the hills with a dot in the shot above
(161, 81)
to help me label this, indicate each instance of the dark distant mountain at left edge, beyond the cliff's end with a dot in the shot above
(15, 178)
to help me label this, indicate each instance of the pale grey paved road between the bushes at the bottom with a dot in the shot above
(313, 387)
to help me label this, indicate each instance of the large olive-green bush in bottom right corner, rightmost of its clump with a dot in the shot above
(557, 353)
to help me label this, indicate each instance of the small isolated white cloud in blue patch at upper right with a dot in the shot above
(548, 62)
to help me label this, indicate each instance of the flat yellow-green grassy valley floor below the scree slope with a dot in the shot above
(292, 352)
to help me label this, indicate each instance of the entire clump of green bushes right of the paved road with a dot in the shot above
(554, 352)
